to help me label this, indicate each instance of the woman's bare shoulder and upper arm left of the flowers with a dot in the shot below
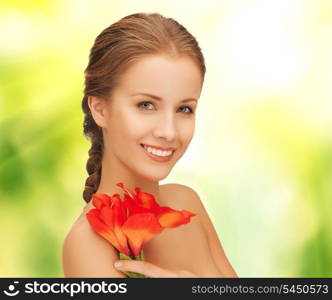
(86, 254)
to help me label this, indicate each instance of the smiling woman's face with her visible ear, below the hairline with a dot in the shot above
(153, 105)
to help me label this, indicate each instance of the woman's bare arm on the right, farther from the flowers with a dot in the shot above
(216, 249)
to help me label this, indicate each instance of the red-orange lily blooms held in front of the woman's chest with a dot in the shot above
(134, 221)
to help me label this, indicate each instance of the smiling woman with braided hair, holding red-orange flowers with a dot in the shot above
(142, 86)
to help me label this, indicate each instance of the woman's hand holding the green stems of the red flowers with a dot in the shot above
(150, 270)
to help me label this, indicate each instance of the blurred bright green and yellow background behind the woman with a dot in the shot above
(261, 158)
